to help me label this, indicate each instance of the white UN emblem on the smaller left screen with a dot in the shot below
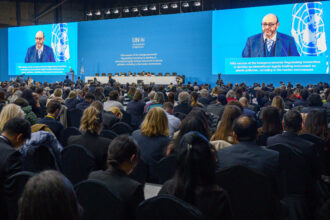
(60, 42)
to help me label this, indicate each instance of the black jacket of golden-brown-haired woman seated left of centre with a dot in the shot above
(98, 146)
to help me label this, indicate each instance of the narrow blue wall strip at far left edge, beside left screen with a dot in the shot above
(3, 54)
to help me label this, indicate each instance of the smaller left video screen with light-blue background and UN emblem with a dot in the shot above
(59, 53)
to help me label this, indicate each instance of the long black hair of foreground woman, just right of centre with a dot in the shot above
(196, 166)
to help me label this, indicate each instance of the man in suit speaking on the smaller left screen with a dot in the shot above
(39, 52)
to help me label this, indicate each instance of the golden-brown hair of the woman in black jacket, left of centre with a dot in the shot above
(91, 120)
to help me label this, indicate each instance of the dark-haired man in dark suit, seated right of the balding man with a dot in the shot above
(292, 127)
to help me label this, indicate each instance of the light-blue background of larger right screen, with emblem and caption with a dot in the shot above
(307, 24)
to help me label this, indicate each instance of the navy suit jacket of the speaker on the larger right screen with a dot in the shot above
(284, 46)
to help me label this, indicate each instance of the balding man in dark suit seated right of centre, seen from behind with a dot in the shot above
(246, 152)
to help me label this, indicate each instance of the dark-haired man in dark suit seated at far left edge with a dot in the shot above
(14, 134)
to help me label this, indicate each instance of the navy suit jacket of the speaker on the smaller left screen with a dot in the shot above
(46, 56)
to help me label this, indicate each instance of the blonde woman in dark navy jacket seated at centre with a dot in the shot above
(152, 139)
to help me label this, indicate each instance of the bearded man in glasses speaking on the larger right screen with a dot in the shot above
(270, 43)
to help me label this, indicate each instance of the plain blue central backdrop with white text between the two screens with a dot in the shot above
(168, 43)
